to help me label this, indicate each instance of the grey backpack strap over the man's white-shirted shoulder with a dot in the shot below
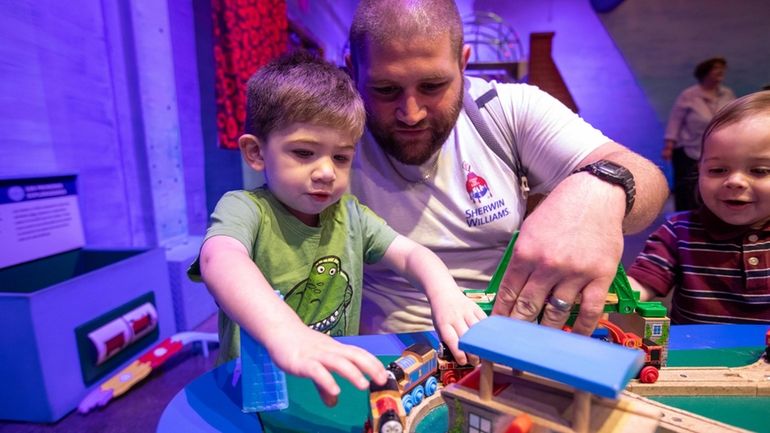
(487, 110)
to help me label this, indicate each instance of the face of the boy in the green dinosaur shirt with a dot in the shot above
(308, 167)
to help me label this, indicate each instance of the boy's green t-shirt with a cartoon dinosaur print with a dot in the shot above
(318, 270)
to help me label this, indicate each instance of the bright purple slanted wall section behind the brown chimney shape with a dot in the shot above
(600, 81)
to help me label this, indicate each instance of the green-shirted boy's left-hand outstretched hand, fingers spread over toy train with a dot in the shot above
(306, 353)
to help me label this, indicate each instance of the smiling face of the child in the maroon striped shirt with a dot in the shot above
(734, 172)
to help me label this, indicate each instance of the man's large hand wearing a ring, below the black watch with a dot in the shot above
(568, 251)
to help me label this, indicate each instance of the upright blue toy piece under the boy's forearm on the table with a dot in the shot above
(263, 384)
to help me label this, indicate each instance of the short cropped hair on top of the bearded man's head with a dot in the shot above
(378, 21)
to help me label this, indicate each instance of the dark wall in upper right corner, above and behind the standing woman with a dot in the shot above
(663, 40)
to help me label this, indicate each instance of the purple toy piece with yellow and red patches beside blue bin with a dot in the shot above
(134, 372)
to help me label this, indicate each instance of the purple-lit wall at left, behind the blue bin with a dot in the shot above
(103, 90)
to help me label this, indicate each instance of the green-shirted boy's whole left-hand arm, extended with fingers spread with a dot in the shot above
(242, 291)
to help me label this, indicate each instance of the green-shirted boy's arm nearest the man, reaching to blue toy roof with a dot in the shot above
(453, 313)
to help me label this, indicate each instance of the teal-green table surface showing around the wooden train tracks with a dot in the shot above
(307, 413)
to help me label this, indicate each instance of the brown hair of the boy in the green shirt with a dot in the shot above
(300, 87)
